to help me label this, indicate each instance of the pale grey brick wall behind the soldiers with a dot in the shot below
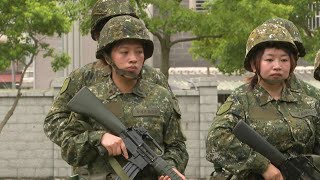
(25, 151)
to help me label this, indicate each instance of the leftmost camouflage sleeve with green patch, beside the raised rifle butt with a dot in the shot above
(59, 113)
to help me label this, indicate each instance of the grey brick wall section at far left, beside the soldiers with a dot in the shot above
(24, 150)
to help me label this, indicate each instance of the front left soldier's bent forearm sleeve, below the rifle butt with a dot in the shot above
(80, 141)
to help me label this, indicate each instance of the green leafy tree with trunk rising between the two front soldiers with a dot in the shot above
(219, 34)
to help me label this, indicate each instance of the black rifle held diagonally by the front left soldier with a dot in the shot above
(85, 102)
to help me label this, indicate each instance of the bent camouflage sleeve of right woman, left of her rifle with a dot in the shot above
(223, 148)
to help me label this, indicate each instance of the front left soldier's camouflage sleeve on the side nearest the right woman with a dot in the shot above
(174, 141)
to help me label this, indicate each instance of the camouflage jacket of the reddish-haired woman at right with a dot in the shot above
(291, 124)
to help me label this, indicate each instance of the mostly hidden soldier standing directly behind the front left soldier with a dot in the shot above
(96, 71)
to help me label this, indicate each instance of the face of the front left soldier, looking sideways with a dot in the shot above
(128, 55)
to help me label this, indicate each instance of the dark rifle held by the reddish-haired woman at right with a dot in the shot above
(293, 167)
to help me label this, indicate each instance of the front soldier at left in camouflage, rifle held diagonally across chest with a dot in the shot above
(125, 45)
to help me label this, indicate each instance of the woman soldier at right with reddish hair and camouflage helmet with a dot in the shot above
(268, 104)
